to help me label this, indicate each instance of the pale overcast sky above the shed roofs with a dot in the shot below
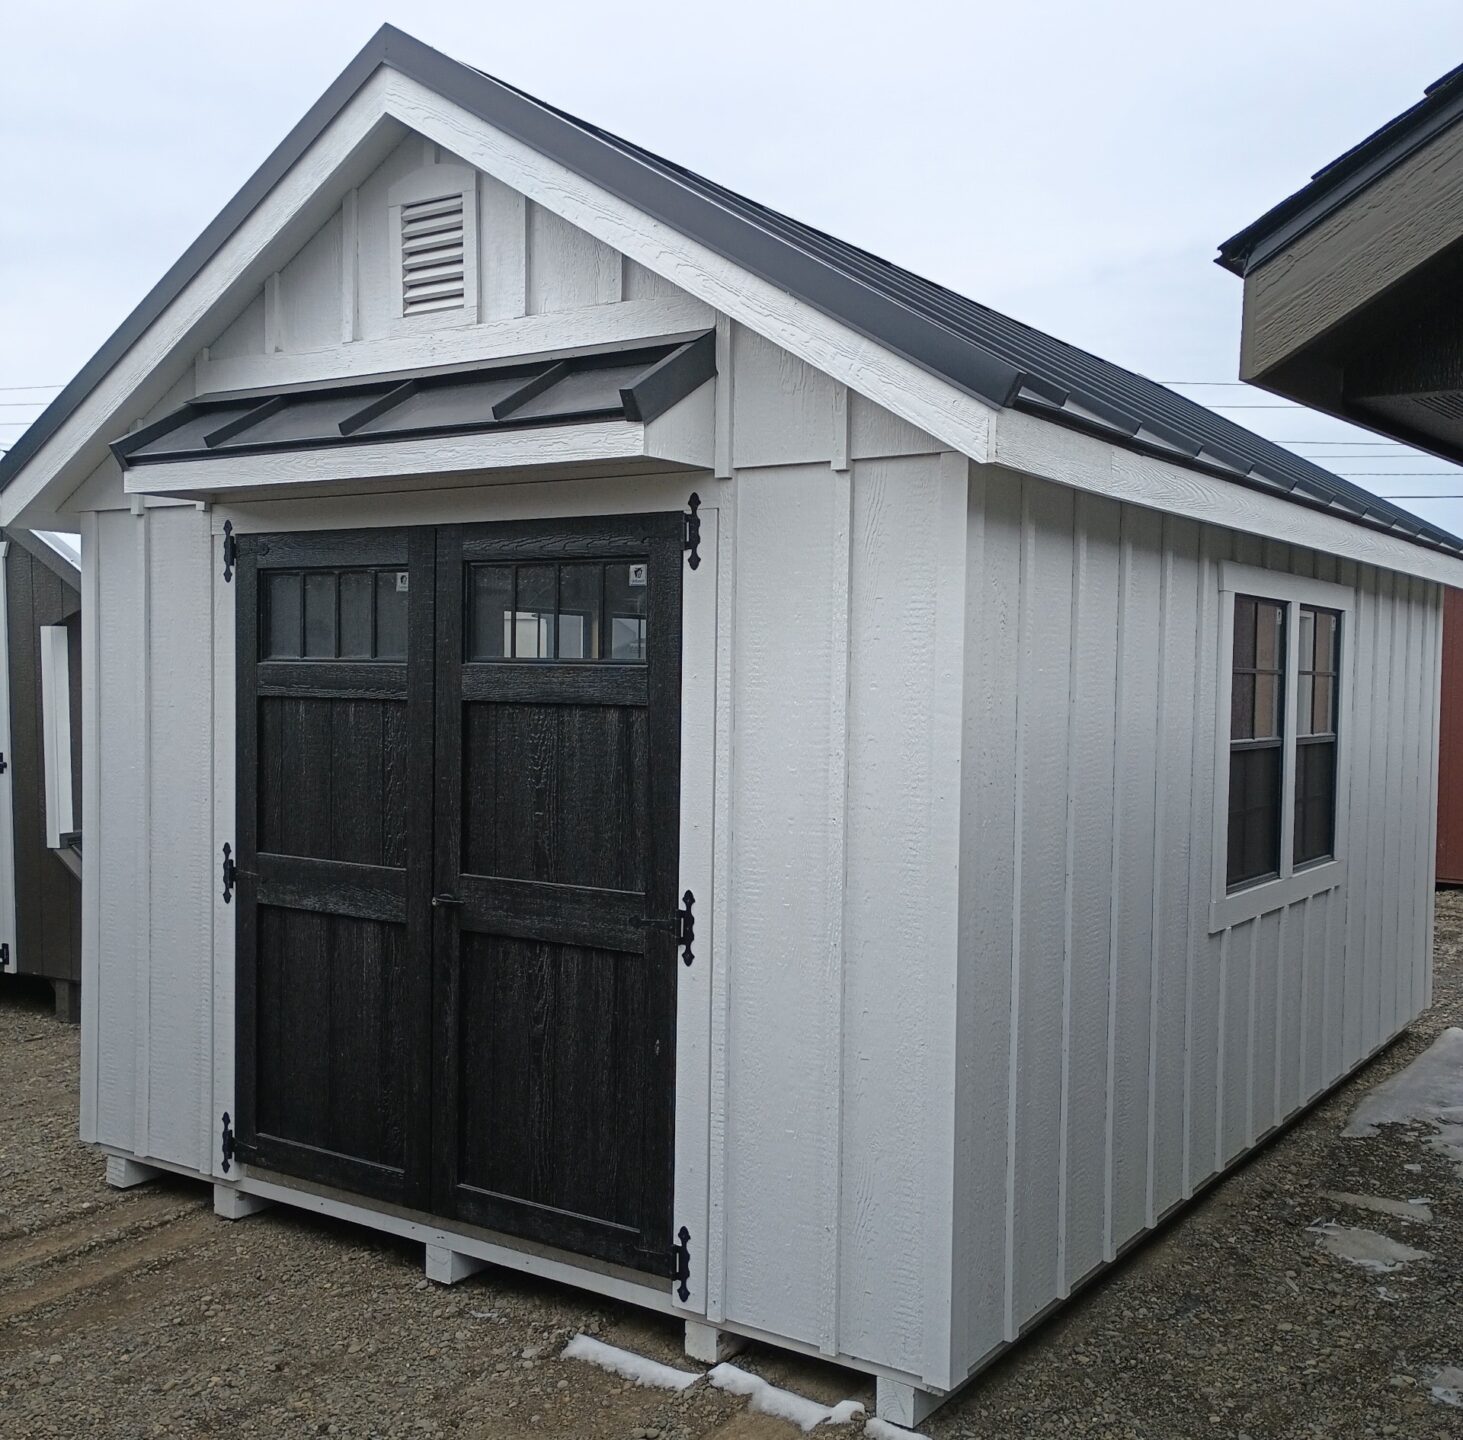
(1075, 165)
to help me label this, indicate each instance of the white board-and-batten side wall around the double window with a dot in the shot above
(1114, 1054)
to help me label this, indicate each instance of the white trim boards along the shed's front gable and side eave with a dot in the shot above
(339, 157)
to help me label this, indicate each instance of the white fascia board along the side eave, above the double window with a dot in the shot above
(1037, 447)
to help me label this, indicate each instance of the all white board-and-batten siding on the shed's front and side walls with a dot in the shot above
(969, 1030)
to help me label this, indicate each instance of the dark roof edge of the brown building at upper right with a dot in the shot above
(1347, 176)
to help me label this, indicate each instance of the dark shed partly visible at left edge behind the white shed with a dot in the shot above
(42, 757)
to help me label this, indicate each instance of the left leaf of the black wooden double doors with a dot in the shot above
(334, 911)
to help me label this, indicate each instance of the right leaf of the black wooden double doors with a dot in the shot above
(558, 835)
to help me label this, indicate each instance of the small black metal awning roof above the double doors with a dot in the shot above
(634, 386)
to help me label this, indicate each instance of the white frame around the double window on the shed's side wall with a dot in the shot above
(1233, 908)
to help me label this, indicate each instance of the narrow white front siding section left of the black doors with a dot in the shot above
(148, 911)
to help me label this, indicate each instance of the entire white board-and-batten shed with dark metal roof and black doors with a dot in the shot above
(630, 740)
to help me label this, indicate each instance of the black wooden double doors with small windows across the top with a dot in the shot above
(459, 784)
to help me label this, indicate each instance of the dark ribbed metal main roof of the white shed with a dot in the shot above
(977, 349)
